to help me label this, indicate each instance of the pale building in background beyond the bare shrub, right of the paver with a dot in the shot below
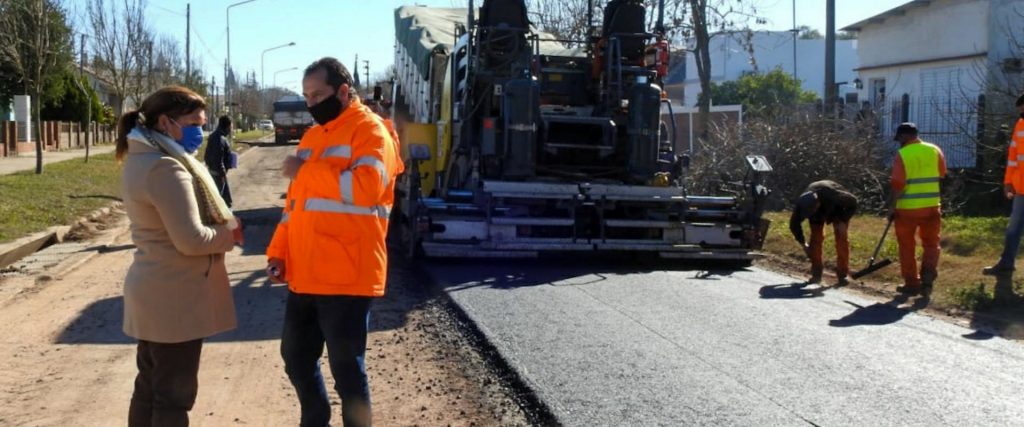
(731, 61)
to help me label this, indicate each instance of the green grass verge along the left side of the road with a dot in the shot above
(65, 192)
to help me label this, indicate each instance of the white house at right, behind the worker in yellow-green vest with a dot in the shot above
(929, 62)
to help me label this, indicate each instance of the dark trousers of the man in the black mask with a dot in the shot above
(342, 323)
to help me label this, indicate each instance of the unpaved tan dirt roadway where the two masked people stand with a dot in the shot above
(67, 362)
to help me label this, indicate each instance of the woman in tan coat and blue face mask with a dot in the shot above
(178, 291)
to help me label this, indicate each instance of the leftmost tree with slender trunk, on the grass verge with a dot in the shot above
(35, 45)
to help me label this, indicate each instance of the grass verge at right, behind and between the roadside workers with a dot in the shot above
(969, 244)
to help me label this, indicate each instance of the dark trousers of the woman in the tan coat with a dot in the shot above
(166, 386)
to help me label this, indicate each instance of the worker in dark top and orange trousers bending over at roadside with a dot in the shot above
(825, 203)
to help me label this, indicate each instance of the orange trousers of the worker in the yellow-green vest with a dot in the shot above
(926, 224)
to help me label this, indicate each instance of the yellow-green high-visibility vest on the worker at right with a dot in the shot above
(922, 165)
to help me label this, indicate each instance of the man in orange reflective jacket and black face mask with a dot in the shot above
(330, 246)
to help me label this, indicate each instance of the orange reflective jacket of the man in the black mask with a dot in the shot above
(332, 232)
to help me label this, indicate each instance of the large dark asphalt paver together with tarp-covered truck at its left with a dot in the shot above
(518, 146)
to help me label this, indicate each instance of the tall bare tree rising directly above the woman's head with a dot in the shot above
(119, 44)
